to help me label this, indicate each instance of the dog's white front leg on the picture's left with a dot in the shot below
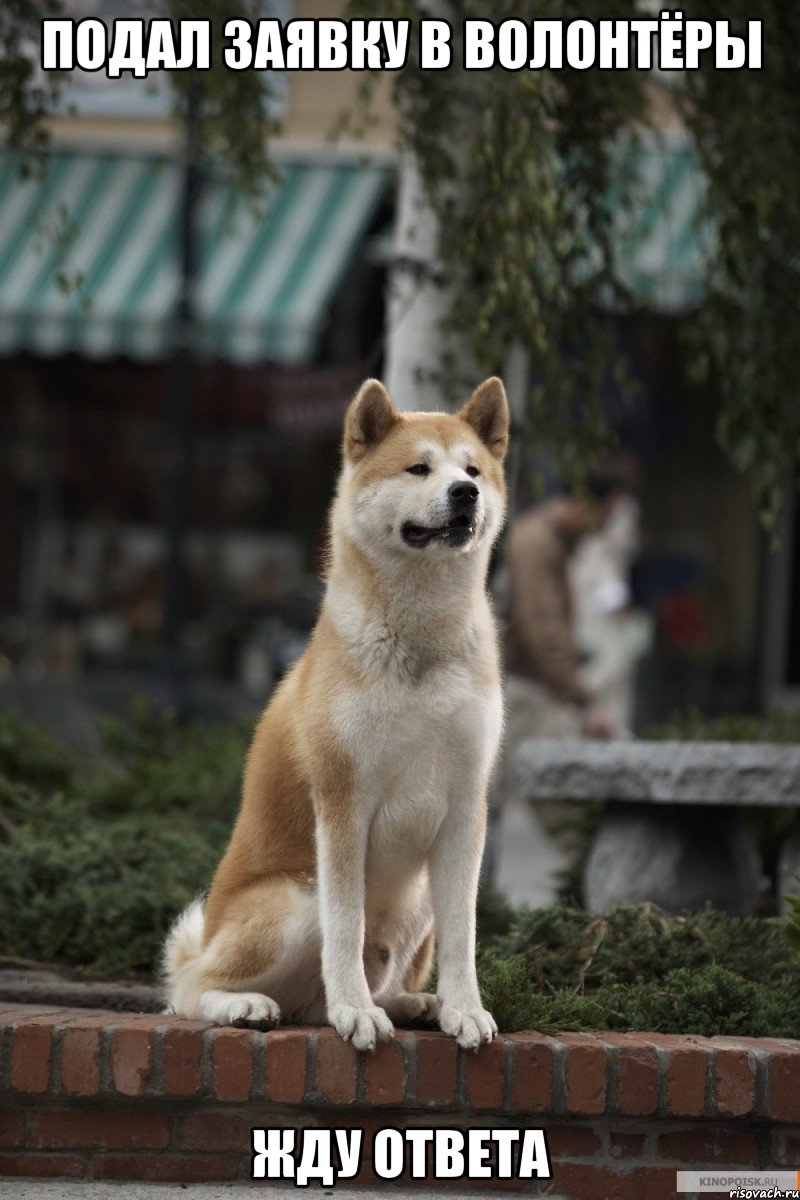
(341, 856)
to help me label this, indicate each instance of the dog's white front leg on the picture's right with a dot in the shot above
(455, 865)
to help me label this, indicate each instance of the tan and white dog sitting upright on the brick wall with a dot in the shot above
(364, 807)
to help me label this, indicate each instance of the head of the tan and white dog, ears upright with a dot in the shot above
(425, 484)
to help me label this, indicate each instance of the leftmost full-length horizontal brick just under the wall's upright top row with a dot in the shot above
(92, 1130)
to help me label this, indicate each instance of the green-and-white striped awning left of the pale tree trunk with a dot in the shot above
(89, 257)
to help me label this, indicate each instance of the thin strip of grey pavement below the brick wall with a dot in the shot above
(76, 1190)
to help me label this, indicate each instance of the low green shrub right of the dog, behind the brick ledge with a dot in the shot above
(637, 968)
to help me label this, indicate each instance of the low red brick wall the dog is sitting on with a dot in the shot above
(111, 1096)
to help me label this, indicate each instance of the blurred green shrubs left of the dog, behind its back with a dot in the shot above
(95, 863)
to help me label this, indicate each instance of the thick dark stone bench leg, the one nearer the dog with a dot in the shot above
(676, 856)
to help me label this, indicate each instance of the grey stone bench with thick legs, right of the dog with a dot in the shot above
(672, 832)
